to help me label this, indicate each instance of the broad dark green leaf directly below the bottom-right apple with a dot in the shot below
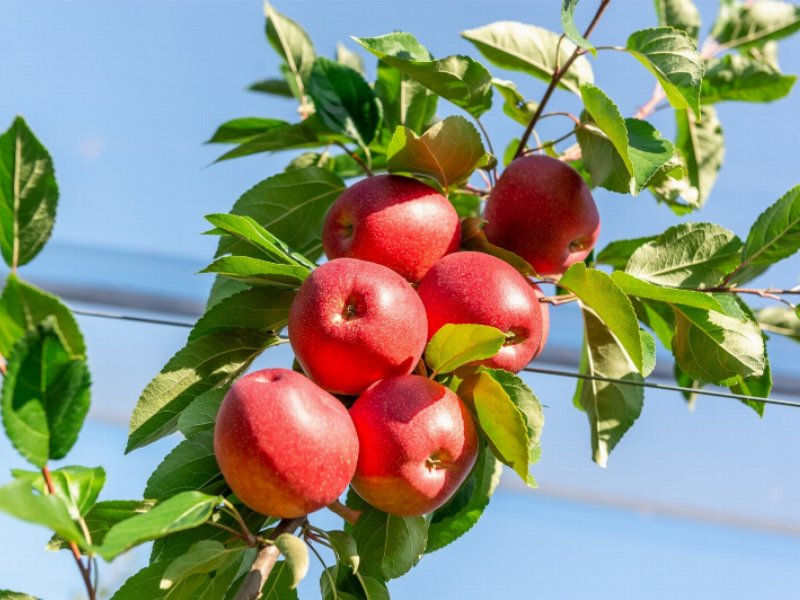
(389, 545)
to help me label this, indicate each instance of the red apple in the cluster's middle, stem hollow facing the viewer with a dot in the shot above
(354, 322)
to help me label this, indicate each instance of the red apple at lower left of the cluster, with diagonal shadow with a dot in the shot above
(285, 446)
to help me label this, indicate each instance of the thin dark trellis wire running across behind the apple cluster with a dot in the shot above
(539, 370)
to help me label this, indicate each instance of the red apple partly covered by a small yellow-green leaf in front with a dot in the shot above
(473, 287)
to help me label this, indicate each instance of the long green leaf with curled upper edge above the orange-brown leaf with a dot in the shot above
(459, 79)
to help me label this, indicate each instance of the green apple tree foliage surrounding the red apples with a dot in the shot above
(682, 288)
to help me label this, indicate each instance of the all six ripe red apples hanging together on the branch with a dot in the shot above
(359, 324)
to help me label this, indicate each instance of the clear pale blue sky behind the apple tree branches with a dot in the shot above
(124, 93)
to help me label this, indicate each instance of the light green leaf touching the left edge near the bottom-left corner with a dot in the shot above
(20, 500)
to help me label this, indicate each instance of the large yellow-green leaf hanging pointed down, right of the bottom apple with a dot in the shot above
(510, 416)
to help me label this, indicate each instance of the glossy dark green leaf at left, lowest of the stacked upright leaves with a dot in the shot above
(45, 396)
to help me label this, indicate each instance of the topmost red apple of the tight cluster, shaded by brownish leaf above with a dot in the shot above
(394, 221)
